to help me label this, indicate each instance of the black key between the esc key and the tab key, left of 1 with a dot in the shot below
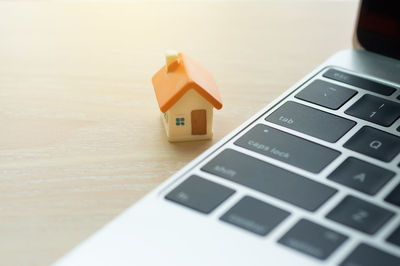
(326, 94)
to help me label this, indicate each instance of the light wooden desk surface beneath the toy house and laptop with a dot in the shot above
(81, 138)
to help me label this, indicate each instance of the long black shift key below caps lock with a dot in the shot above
(269, 179)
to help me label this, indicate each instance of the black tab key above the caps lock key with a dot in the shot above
(311, 121)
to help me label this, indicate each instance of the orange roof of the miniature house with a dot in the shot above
(183, 75)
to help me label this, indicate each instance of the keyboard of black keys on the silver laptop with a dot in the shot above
(331, 138)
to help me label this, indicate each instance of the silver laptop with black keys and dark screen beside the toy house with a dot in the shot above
(312, 179)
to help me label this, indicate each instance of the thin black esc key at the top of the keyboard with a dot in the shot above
(356, 81)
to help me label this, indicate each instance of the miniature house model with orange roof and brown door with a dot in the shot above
(186, 94)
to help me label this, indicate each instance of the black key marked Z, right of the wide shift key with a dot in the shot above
(360, 215)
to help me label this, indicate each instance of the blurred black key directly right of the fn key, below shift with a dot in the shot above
(255, 215)
